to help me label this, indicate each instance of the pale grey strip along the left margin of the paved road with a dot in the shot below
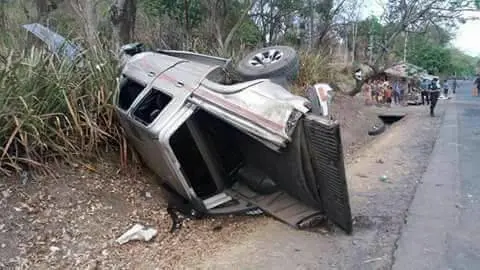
(434, 209)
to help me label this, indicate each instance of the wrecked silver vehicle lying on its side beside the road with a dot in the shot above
(234, 145)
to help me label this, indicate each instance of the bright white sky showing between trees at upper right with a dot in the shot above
(467, 37)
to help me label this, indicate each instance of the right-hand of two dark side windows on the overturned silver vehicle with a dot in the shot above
(151, 106)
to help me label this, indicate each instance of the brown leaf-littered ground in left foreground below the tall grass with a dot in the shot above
(73, 220)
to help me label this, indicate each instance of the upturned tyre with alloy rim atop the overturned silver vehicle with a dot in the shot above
(270, 62)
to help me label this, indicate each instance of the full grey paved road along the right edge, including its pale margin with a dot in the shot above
(443, 225)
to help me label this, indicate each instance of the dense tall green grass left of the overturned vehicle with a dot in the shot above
(51, 109)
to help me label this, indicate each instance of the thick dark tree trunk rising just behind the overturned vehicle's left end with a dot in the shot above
(122, 17)
